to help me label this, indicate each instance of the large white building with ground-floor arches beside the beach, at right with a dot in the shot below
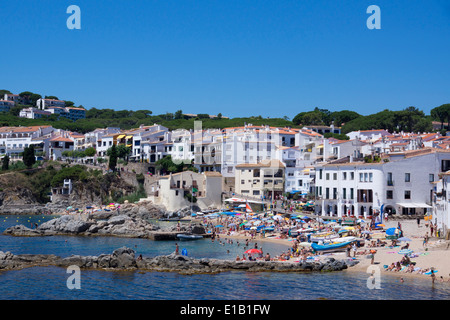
(400, 183)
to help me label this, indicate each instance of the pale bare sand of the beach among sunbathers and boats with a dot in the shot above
(434, 255)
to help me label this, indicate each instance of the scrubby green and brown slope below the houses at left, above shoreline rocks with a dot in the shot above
(28, 191)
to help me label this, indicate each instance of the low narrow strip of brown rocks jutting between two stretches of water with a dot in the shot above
(124, 259)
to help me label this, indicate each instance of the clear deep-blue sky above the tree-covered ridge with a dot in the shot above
(237, 57)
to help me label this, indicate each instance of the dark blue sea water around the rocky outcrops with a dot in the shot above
(51, 283)
